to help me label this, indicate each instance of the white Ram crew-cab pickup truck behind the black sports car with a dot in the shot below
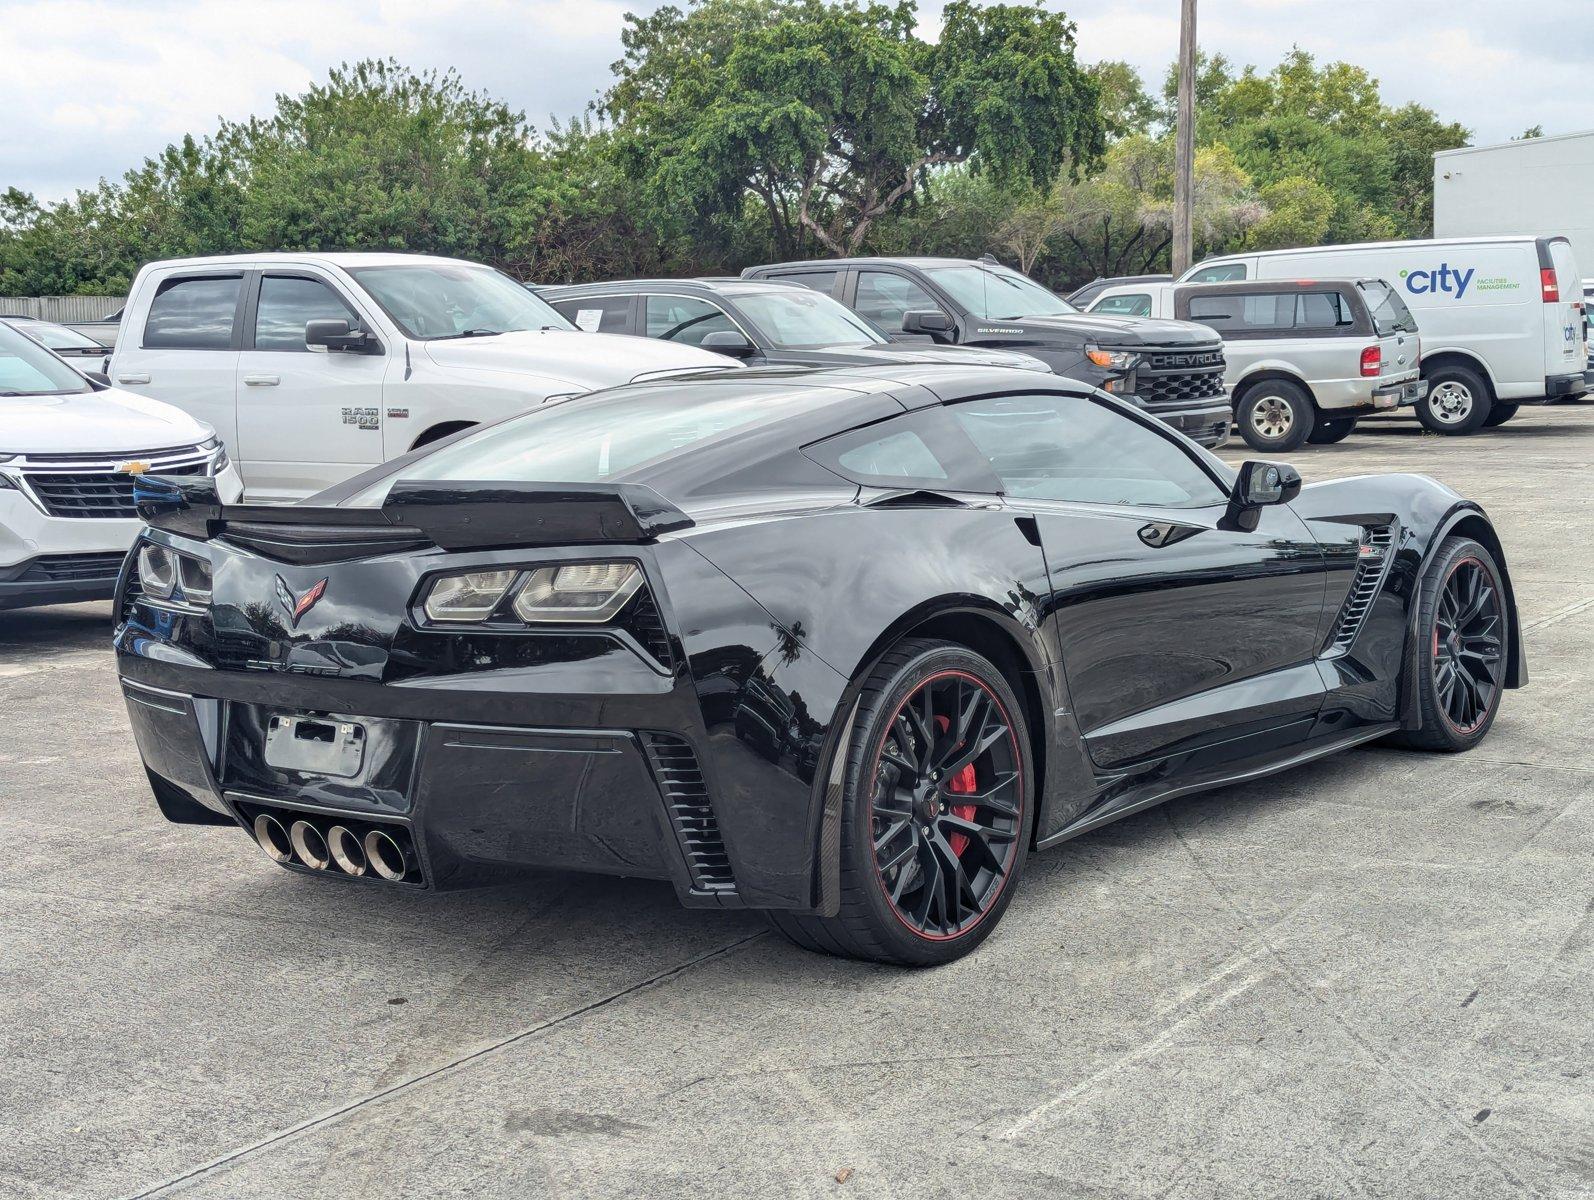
(315, 367)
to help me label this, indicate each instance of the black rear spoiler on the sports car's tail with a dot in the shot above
(465, 516)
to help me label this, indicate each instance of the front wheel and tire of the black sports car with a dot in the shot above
(1456, 651)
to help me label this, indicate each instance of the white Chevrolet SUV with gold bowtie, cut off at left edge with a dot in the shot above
(71, 453)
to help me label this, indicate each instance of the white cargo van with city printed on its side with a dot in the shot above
(1502, 318)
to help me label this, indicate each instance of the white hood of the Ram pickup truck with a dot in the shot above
(586, 359)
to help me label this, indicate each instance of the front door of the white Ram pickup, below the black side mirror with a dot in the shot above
(307, 418)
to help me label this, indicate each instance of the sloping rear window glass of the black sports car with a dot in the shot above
(581, 441)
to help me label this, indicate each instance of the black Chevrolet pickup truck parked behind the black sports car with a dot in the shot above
(1174, 369)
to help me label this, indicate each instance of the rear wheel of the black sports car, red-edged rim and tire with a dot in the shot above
(871, 925)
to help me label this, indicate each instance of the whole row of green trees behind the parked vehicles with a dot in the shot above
(737, 131)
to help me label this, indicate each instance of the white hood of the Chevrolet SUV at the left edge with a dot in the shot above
(95, 423)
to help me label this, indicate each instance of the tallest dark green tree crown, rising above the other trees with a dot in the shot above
(834, 116)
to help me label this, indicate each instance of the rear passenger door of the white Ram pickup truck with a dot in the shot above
(183, 347)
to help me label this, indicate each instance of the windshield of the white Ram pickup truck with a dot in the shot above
(442, 300)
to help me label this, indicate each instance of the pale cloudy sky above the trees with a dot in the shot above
(90, 88)
